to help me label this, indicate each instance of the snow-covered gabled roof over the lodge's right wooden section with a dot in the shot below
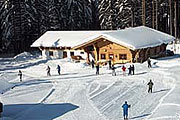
(135, 38)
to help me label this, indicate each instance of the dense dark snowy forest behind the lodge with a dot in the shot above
(23, 21)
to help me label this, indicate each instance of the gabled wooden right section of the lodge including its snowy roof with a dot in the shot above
(127, 45)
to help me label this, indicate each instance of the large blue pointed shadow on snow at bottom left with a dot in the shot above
(37, 111)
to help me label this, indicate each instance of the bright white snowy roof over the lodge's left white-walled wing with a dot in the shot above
(64, 38)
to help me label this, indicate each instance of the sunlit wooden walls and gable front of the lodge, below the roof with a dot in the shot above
(103, 50)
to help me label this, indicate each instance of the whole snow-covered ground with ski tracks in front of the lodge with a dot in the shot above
(79, 94)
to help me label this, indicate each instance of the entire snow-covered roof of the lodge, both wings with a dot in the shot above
(133, 38)
